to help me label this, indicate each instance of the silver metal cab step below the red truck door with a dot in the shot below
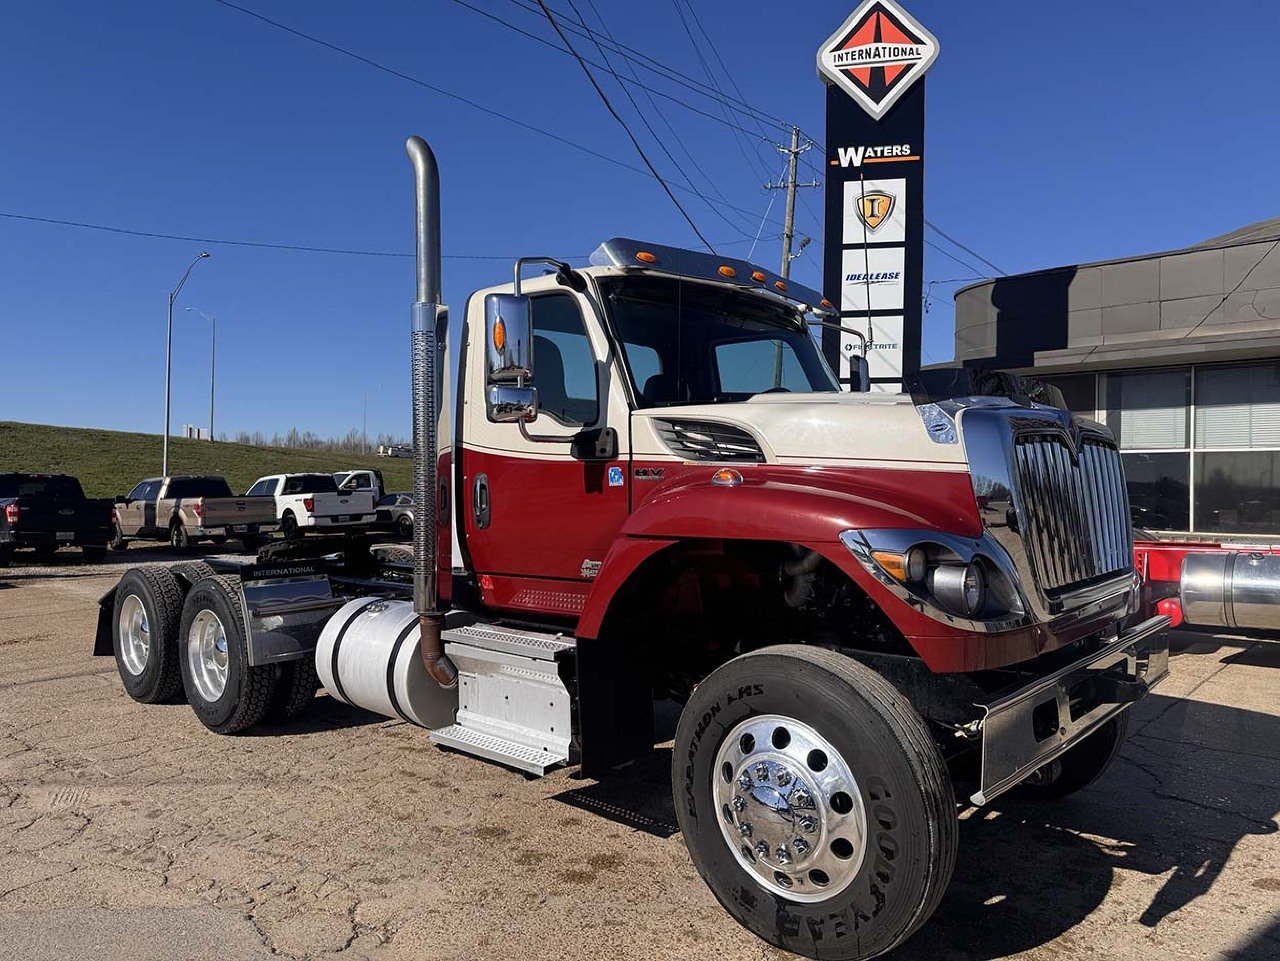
(513, 706)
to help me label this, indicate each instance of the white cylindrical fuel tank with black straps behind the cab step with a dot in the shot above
(368, 657)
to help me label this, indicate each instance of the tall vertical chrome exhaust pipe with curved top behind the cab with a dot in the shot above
(429, 331)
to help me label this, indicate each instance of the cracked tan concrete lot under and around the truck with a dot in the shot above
(131, 832)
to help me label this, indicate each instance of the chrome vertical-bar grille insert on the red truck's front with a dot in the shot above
(1073, 511)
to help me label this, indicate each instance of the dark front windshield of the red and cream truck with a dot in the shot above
(689, 344)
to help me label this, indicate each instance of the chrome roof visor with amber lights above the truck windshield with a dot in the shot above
(623, 253)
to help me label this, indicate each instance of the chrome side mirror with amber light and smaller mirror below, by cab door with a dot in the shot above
(510, 359)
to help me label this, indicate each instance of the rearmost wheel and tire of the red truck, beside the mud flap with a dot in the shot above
(144, 634)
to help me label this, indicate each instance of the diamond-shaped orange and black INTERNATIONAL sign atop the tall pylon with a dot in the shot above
(877, 54)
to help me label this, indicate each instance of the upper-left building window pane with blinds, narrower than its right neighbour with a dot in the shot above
(1149, 411)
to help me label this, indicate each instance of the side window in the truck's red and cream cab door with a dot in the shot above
(564, 363)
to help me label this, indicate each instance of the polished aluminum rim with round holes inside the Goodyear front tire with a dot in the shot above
(790, 808)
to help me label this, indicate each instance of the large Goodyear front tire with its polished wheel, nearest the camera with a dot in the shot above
(815, 803)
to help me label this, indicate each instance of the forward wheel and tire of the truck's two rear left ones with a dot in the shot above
(226, 693)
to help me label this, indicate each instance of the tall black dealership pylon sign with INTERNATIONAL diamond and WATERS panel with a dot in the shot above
(875, 70)
